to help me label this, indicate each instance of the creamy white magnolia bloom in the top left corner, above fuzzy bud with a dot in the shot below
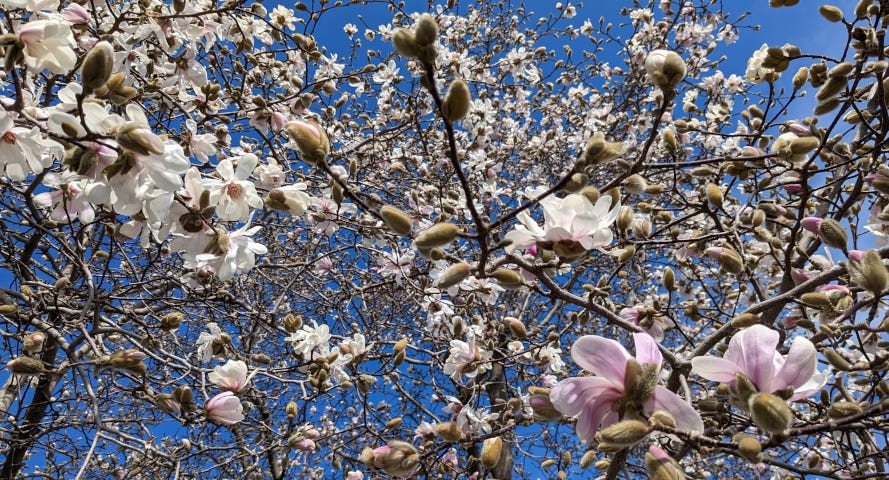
(47, 45)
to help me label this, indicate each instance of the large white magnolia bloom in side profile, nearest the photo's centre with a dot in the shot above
(572, 226)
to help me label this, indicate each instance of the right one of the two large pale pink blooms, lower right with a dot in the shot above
(752, 352)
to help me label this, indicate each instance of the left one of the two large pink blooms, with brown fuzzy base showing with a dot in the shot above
(619, 387)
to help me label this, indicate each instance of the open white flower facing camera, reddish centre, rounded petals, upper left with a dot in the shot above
(234, 195)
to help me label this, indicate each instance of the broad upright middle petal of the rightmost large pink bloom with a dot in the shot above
(754, 350)
